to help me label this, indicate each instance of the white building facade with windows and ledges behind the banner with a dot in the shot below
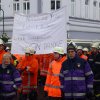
(82, 16)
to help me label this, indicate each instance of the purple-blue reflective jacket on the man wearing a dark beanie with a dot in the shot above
(76, 78)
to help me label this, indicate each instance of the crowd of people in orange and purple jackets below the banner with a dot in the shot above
(71, 76)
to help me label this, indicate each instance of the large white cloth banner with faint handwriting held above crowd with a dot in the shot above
(42, 32)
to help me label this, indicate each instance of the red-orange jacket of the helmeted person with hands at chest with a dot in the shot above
(29, 78)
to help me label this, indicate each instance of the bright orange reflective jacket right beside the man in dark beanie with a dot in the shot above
(52, 85)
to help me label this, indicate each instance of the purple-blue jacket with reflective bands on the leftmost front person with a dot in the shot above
(10, 80)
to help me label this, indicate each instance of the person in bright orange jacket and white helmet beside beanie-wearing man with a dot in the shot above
(52, 85)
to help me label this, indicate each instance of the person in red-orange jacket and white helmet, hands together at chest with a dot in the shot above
(29, 72)
